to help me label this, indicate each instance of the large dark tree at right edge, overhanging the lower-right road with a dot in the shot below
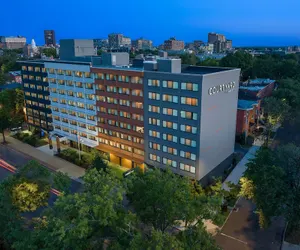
(275, 189)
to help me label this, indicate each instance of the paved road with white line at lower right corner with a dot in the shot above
(242, 231)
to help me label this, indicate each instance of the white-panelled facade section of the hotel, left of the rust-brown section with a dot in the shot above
(73, 102)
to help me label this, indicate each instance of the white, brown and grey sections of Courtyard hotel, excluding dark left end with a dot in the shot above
(163, 114)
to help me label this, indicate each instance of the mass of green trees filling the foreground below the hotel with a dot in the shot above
(140, 212)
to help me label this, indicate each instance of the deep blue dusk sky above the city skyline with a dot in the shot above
(255, 22)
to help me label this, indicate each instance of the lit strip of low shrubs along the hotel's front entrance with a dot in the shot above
(85, 160)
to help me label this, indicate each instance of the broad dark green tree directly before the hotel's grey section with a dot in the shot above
(156, 197)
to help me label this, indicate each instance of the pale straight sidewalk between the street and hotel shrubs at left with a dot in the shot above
(51, 162)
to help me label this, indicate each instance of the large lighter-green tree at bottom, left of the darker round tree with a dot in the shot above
(84, 220)
